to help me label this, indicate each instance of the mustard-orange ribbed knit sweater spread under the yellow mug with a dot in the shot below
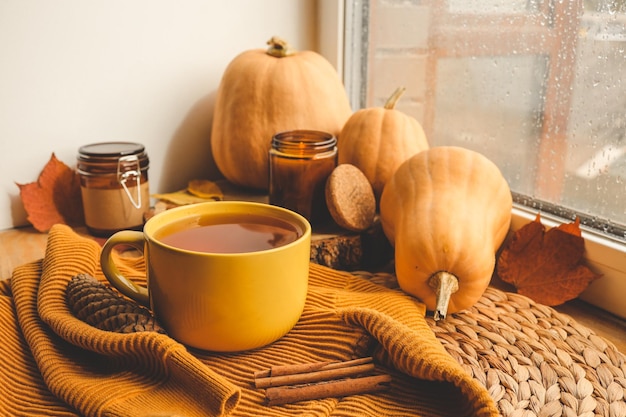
(53, 364)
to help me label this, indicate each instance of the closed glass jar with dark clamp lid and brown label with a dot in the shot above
(114, 186)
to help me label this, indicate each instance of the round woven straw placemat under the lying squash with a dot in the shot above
(533, 360)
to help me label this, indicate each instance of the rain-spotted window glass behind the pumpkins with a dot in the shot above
(539, 87)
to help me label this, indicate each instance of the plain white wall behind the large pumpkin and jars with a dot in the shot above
(75, 72)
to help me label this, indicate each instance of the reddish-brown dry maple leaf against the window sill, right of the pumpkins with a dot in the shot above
(546, 266)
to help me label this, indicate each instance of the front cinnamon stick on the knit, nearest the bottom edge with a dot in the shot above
(340, 388)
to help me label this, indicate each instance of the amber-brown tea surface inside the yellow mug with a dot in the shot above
(226, 233)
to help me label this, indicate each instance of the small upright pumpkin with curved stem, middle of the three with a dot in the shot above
(378, 139)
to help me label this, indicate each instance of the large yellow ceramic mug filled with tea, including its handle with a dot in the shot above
(216, 301)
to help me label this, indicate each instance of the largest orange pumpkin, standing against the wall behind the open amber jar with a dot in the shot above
(264, 92)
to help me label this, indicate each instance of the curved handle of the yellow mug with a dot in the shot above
(112, 273)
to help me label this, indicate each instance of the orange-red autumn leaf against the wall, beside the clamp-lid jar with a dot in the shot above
(54, 197)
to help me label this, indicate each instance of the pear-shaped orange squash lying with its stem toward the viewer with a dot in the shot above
(446, 211)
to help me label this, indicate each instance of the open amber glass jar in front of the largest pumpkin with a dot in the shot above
(300, 163)
